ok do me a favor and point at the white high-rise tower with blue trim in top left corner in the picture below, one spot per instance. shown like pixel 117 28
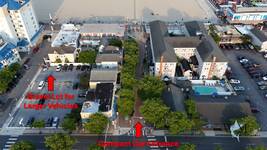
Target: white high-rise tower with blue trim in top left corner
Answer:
pixel 18 21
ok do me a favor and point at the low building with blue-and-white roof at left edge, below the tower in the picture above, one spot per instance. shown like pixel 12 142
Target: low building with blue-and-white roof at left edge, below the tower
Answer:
pixel 8 54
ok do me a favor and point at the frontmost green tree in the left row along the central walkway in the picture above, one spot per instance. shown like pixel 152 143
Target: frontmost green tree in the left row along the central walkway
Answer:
pixel 126 107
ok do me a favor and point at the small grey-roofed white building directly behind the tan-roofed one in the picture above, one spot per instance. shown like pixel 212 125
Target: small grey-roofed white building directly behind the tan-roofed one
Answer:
pixel 108 60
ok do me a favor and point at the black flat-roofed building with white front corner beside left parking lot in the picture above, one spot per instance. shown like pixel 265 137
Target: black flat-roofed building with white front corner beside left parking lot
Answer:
pixel 99 100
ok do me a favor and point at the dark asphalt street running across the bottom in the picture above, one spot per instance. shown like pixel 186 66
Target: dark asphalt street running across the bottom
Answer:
pixel 202 143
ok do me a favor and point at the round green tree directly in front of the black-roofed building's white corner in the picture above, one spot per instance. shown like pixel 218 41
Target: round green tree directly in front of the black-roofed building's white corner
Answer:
pixel 96 123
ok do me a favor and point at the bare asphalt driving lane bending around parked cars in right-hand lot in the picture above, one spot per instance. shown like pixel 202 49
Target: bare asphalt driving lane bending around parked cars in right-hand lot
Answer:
pixel 252 93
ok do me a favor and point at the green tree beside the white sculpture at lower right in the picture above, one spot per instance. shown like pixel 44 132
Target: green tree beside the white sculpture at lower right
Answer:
pixel 250 125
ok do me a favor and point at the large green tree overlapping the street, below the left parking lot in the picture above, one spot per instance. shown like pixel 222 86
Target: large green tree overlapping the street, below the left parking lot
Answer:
pixel 59 141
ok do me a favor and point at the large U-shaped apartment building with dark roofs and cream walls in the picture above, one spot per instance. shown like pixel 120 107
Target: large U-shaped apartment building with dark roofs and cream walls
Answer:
pixel 165 50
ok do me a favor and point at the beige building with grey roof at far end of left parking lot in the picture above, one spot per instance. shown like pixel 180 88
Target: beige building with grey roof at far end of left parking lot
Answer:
pixel 63 53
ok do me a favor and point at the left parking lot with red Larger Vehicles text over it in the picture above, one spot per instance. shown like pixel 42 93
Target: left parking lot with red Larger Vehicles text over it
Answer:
pixel 66 79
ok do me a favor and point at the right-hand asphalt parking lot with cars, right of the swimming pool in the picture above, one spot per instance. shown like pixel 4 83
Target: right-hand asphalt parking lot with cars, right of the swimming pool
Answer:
pixel 249 73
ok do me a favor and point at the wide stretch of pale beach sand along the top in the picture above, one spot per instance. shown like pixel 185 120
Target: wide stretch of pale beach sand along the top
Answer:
pixel 115 10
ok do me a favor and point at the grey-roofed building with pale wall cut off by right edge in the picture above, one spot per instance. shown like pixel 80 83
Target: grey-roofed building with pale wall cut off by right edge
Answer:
pixel 259 38
